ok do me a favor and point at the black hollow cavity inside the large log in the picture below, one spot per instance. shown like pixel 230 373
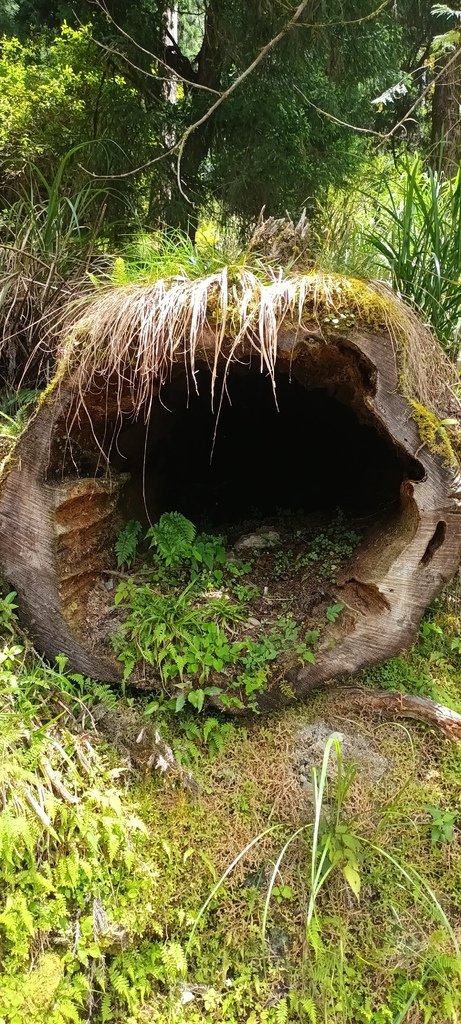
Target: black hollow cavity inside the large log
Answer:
pixel 310 453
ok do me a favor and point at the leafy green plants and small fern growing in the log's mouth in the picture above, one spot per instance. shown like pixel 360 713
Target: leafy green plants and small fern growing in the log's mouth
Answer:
pixel 179 624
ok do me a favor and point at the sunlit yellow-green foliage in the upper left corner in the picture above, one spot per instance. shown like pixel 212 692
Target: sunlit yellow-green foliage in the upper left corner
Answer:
pixel 59 93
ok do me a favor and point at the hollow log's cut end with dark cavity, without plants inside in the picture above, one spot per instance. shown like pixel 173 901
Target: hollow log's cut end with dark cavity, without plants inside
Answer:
pixel 340 435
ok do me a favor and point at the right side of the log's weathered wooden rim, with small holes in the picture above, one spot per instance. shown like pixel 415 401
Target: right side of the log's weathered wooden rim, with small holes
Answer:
pixel 411 559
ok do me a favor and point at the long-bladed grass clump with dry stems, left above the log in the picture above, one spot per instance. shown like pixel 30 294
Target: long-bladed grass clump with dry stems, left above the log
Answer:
pixel 48 237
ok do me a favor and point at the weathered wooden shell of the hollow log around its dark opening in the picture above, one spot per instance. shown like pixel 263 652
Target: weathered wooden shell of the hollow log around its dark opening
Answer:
pixel 76 477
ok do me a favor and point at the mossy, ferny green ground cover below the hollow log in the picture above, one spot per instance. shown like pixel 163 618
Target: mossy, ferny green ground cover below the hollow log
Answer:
pixel 117 902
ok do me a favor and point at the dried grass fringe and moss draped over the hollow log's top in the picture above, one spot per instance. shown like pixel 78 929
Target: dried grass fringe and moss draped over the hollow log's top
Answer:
pixel 136 334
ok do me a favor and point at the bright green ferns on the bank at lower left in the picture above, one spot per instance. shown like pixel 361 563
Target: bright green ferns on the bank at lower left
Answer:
pixel 74 887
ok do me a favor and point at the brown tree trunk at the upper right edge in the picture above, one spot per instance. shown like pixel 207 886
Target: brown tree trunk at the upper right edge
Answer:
pixel 447 117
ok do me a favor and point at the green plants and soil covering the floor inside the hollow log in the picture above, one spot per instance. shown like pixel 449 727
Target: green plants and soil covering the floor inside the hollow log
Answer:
pixel 189 623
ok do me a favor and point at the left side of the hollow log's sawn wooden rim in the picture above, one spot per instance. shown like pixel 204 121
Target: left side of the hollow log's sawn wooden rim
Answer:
pixel 33 543
